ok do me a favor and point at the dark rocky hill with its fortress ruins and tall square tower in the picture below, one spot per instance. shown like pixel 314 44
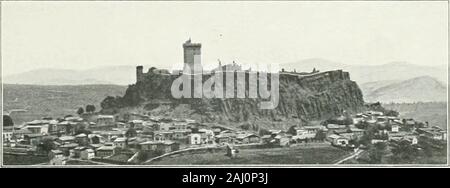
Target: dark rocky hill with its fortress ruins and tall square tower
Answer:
pixel 303 95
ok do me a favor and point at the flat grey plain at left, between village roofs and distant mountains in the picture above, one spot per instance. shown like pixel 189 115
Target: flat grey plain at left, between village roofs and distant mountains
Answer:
pixel 30 102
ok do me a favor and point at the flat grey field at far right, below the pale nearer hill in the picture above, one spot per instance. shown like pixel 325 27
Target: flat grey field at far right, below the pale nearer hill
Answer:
pixel 433 112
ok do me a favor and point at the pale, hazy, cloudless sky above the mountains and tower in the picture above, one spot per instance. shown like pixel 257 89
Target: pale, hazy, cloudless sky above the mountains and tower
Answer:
pixel 77 35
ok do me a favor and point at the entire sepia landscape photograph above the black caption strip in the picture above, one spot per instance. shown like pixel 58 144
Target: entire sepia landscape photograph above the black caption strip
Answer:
pixel 224 84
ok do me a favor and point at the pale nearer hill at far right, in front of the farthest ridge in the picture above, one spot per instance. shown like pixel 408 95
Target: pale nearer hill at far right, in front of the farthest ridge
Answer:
pixel 423 89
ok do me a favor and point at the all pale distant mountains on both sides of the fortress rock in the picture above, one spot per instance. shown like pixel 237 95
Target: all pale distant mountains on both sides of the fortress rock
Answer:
pixel 395 81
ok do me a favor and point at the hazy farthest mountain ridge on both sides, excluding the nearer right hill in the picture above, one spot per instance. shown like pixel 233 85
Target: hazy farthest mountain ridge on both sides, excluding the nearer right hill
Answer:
pixel 124 75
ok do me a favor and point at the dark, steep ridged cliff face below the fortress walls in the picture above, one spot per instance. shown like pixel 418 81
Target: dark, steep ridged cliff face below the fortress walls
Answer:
pixel 304 97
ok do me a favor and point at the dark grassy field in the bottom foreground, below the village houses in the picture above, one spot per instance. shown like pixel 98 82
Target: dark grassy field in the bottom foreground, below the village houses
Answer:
pixel 325 154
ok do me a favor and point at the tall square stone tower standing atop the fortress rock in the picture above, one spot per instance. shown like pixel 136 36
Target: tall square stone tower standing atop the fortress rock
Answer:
pixel 192 56
